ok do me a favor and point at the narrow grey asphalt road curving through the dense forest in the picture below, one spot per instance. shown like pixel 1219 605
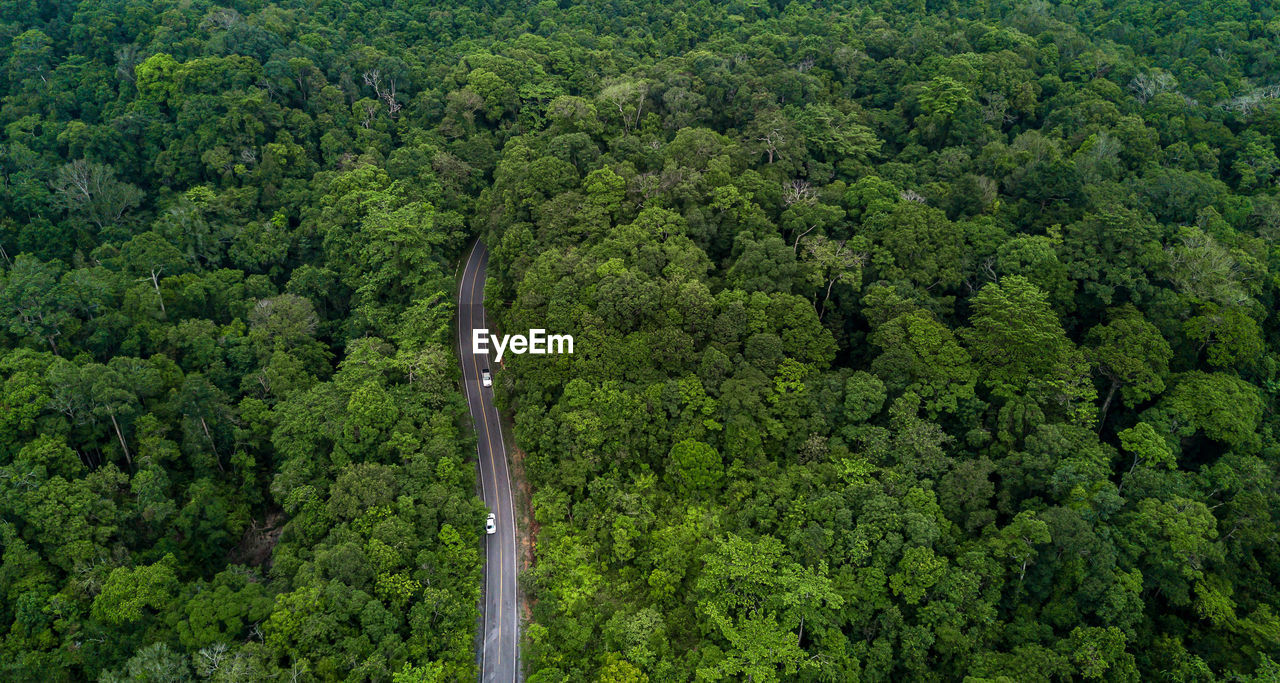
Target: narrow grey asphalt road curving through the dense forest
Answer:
pixel 500 654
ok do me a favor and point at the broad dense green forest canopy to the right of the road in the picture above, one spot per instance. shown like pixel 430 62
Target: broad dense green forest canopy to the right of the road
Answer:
pixel 911 345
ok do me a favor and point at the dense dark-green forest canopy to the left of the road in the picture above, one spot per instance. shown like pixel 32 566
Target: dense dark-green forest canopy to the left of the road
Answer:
pixel 232 443
